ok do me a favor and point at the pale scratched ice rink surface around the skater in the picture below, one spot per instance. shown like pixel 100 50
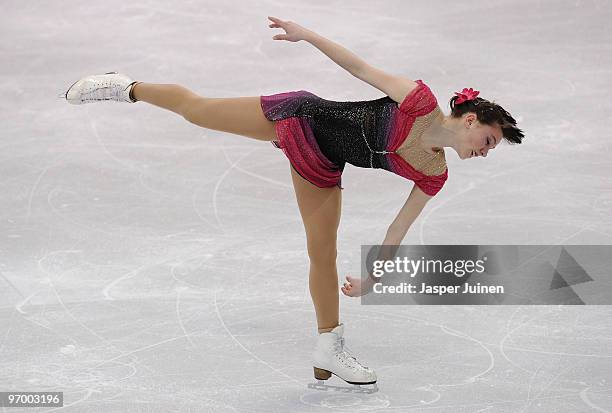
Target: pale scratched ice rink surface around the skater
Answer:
pixel 147 264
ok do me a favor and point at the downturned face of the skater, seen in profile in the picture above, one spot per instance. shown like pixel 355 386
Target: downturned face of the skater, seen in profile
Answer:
pixel 478 139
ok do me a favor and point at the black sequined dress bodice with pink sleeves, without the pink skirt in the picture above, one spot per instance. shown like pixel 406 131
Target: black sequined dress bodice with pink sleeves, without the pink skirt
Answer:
pixel 375 133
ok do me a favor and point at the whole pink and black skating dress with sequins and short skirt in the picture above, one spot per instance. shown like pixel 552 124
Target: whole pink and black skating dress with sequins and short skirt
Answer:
pixel 320 136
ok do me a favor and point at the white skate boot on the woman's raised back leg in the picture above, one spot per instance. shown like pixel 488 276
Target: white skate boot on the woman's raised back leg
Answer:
pixel 109 86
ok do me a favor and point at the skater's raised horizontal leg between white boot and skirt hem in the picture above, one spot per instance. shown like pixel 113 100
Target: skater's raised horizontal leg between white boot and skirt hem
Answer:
pixel 241 116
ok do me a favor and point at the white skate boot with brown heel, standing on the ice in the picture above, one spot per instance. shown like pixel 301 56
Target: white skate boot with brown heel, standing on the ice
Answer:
pixel 330 357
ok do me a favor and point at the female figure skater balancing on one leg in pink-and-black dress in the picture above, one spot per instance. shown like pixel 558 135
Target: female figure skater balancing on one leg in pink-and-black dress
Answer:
pixel 404 132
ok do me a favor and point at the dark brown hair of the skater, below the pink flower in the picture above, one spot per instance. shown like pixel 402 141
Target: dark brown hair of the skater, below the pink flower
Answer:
pixel 489 113
